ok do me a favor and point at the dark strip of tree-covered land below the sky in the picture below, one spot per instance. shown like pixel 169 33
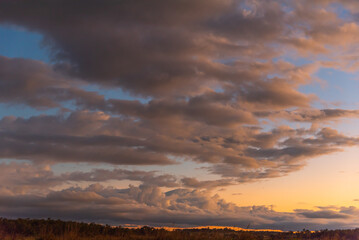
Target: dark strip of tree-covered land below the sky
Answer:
pixel 26 229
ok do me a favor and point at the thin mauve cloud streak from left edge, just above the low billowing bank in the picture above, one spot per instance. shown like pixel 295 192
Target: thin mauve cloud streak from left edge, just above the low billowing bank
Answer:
pixel 26 178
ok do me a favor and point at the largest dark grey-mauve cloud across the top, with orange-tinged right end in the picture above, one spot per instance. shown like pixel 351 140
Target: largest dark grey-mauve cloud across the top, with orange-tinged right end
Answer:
pixel 117 47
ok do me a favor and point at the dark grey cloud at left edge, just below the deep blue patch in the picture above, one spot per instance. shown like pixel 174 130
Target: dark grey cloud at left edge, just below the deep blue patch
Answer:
pixel 38 85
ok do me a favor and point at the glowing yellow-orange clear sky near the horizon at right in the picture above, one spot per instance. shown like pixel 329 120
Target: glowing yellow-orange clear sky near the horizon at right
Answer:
pixel 326 180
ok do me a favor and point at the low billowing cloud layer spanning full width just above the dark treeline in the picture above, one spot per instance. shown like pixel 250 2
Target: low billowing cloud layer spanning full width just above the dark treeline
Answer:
pixel 147 203
